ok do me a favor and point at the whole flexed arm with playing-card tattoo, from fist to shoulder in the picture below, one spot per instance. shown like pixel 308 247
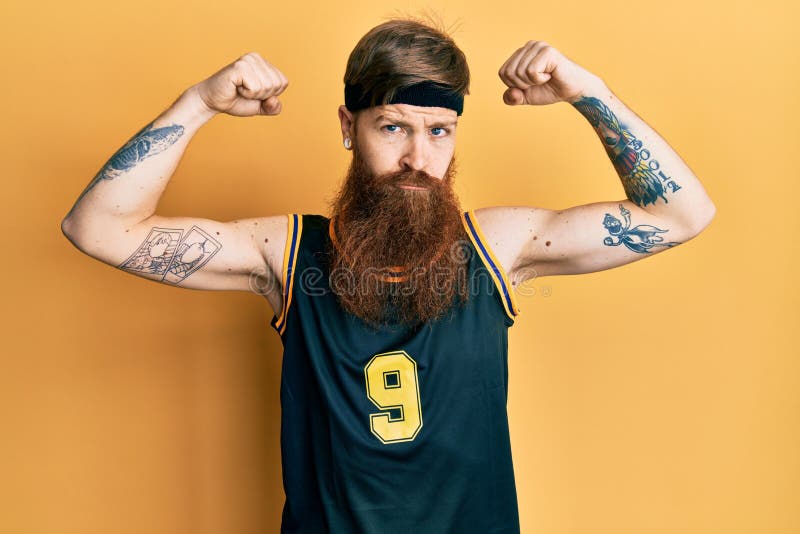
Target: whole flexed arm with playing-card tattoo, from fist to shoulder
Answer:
pixel 114 219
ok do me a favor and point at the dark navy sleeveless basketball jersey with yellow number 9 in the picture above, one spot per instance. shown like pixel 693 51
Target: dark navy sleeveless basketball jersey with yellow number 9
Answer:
pixel 394 430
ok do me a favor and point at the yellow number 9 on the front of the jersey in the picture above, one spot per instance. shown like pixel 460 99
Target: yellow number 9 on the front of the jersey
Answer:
pixel 393 386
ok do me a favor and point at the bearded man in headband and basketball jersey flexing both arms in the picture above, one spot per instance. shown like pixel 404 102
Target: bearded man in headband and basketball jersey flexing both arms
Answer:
pixel 394 311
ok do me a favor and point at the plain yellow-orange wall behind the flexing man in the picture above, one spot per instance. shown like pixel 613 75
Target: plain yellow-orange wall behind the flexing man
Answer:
pixel 659 397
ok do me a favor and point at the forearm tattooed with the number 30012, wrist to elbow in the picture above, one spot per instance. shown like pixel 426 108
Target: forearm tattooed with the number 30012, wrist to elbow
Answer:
pixel 653 175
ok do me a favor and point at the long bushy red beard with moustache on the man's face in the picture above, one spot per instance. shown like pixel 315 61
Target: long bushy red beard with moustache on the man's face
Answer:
pixel 399 255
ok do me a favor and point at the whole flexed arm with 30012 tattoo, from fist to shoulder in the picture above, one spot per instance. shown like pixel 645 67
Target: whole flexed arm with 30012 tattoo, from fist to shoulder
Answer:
pixel 666 204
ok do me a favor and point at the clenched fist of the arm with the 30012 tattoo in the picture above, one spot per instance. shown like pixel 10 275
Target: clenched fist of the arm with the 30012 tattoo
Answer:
pixel 538 74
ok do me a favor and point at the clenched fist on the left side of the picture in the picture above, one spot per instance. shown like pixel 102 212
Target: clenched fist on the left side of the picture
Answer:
pixel 248 86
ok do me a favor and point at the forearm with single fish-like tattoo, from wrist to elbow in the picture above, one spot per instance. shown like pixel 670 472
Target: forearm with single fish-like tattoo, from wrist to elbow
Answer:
pixel 128 186
